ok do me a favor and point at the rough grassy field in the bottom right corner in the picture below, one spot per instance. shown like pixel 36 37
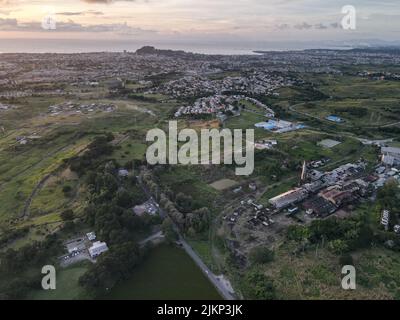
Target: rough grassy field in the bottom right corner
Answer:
pixel 317 275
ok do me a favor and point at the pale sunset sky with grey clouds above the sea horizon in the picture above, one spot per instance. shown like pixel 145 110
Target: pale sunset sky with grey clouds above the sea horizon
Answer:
pixel 216 20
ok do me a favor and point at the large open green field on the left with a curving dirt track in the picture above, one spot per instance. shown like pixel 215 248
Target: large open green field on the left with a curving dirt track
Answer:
pixel 32 176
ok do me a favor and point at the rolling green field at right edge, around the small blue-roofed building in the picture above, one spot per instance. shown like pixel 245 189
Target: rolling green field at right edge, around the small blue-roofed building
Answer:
pixel 359 101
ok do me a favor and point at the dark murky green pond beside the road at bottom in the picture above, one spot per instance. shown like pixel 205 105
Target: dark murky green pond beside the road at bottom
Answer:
pixel 166 273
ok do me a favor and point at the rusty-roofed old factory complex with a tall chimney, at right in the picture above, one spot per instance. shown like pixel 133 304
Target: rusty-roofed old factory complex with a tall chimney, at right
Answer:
pixel 326 192
